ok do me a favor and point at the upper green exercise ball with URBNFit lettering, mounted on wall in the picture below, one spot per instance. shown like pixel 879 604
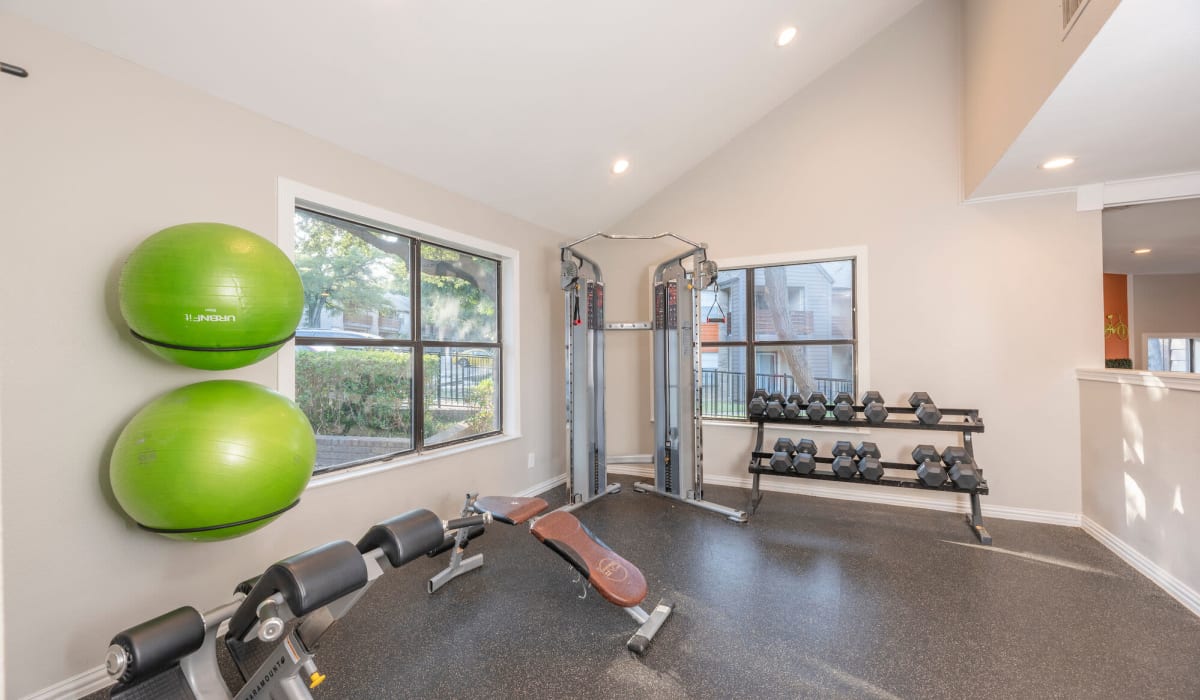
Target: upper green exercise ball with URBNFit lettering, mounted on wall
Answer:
pixel 211 296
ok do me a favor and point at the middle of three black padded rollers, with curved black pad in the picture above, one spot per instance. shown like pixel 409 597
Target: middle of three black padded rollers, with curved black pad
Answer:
pixel 308 582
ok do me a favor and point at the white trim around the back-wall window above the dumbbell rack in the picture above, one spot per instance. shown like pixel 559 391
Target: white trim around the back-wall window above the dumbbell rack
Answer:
pixel 862 309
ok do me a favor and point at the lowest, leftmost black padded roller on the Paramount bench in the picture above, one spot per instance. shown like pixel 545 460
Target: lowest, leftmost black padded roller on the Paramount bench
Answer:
pixel 160 643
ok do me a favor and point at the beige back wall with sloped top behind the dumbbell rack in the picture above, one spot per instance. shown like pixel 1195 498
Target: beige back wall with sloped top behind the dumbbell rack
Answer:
pixel 871 155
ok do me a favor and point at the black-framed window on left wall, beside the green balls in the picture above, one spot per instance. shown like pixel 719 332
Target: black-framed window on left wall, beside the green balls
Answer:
pixel 399 348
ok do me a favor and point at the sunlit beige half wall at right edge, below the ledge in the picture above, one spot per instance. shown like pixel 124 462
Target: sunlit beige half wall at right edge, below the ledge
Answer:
pixel 1141 478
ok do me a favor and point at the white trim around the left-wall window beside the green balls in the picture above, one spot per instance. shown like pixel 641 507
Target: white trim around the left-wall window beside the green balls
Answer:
pixel 292 195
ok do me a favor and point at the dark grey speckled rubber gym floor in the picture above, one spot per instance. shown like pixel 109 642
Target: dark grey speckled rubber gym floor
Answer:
pixel 813 599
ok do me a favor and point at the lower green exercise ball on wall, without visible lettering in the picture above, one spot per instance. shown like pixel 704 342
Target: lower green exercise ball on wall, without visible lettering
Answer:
pixel 213 460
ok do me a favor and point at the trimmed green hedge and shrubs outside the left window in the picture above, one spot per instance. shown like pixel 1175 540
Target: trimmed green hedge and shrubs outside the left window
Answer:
pixel 369 393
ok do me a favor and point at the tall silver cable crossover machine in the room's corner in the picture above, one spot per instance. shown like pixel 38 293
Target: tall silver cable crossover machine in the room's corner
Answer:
pixel 679 454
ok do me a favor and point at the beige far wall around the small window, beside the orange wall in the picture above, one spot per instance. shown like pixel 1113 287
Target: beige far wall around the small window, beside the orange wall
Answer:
pixel 1162 304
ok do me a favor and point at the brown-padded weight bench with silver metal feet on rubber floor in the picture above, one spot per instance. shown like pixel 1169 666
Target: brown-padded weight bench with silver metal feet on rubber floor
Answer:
pixel 615 578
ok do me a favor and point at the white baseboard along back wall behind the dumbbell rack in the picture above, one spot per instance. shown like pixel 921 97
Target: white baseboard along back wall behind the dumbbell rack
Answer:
pixel 945 502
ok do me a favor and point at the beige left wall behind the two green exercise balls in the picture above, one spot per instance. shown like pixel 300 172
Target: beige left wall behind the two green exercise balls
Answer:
pixel 98 154
